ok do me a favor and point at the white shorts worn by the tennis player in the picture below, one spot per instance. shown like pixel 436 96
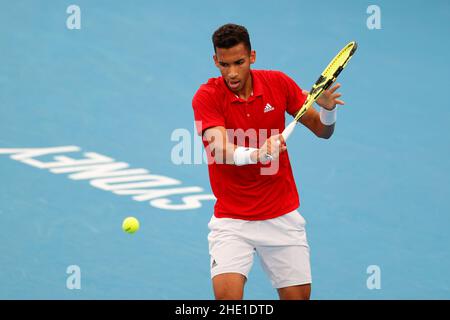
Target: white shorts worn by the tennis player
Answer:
pixel 280 243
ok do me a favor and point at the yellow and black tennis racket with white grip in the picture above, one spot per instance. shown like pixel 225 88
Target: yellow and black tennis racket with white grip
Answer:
pixel 326 79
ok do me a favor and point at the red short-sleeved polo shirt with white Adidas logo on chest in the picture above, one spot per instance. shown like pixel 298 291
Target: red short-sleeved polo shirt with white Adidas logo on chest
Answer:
pixel 244 192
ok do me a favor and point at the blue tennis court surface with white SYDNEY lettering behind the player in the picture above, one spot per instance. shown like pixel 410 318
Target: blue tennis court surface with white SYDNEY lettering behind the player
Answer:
pixel 115 91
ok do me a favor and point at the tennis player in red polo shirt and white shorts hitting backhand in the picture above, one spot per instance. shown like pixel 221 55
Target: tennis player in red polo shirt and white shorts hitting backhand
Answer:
pixel 240 116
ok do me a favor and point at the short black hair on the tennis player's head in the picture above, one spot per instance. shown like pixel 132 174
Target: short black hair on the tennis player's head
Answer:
pixel 230 35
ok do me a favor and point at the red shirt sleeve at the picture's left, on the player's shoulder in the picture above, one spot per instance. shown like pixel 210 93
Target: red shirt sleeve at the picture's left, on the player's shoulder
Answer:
pixel 207 112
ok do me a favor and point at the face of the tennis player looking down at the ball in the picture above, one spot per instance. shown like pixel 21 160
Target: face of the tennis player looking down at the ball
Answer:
pixel 234 65
